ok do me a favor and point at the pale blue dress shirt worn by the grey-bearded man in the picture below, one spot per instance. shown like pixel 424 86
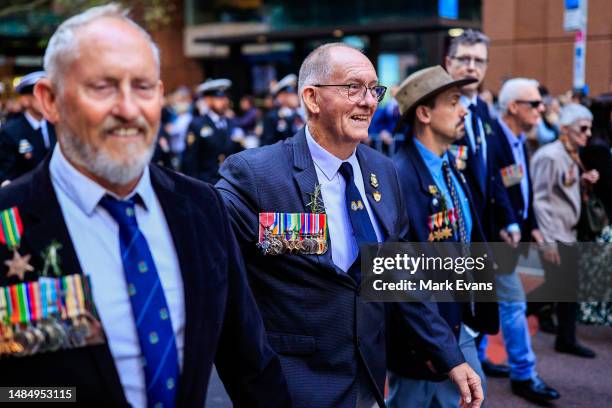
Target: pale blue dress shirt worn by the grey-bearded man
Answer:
pixel 95 236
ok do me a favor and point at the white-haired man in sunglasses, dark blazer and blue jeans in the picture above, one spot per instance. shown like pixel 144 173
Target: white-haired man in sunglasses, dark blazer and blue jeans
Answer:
pixel 521 107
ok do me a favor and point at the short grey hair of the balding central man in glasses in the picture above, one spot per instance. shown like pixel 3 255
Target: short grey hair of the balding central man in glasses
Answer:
pixel 316 68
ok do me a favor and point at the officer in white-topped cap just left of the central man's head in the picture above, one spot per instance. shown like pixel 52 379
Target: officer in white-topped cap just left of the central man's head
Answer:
pixel 285 120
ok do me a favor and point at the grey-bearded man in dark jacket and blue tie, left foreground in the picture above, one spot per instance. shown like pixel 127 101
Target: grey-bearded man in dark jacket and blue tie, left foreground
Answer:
pixel 167 279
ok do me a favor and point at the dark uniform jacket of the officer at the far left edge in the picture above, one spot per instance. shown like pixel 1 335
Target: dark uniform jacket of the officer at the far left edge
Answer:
pixel 12 163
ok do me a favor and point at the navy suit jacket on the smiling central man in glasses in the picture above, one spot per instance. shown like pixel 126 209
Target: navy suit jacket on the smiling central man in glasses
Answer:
pixel 314 316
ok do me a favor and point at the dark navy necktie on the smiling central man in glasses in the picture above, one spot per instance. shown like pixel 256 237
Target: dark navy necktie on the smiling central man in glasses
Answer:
pixel 360 219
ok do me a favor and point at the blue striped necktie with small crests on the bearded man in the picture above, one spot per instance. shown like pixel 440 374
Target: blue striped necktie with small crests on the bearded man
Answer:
pixel 149 307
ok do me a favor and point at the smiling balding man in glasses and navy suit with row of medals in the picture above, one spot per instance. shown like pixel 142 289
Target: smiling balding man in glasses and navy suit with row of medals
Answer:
pixel 331 343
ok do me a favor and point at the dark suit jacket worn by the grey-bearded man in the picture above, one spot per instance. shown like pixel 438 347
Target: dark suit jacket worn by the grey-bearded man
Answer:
pixel 223 325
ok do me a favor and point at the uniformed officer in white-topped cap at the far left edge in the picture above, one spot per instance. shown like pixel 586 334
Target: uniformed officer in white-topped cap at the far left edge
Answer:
pixel 25 139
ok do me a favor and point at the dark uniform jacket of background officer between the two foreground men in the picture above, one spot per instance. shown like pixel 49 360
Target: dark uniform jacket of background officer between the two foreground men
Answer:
pixel 204 154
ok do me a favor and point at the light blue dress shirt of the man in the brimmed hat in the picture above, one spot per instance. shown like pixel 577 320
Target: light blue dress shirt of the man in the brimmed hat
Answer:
pixel 434 165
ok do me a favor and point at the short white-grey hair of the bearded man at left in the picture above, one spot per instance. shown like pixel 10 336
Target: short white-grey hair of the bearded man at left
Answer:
pixel 63 45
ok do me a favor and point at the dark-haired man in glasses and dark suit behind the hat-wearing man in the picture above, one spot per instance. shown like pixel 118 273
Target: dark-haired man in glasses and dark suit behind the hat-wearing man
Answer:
pixel 468 58
